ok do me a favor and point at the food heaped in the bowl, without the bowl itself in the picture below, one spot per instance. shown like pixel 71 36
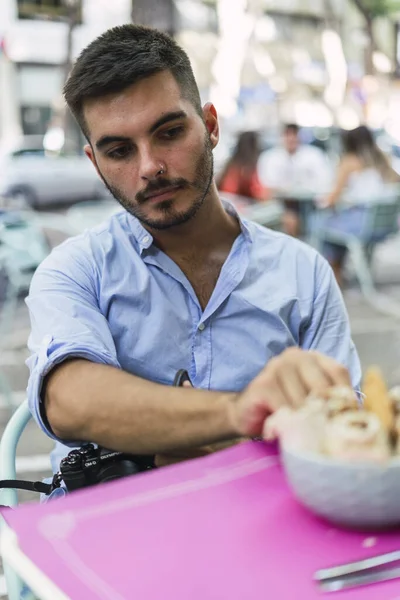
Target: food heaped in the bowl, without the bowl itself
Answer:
pixel 336 424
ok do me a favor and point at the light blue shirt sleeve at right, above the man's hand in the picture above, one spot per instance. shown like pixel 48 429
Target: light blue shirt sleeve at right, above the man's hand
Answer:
pixel 328 328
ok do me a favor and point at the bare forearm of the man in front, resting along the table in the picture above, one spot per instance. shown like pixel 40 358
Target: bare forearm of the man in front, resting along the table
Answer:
pixel 98 403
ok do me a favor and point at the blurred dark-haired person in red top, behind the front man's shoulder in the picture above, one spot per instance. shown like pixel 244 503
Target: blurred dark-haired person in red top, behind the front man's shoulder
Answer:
pixel 240 176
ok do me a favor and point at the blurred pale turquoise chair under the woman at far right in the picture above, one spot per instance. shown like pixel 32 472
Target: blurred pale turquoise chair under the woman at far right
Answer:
pixel 380 222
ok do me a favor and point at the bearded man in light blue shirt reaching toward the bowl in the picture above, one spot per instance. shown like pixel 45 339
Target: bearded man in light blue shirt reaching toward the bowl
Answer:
pixel 176 280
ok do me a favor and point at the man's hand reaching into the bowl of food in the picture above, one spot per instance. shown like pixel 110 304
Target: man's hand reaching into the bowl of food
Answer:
pixel 285 381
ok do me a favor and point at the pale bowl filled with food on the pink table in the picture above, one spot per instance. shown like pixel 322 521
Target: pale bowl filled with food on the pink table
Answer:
pixel 342 458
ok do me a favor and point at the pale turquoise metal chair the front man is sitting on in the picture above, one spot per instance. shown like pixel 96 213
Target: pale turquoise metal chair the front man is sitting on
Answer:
pixel 9 497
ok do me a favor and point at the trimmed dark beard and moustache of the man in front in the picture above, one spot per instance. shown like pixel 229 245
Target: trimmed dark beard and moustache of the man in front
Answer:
pixel 169 215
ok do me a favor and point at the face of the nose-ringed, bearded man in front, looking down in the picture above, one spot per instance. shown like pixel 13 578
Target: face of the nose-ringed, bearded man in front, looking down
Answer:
pixel 152 150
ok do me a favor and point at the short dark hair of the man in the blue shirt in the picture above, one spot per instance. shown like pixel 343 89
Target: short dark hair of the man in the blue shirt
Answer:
pixel 119 58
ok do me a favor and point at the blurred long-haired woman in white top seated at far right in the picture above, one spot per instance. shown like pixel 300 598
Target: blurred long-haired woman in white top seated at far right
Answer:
pixel 364 175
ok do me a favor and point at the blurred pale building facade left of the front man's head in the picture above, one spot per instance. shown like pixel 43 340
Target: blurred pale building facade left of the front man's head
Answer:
pixel 34 52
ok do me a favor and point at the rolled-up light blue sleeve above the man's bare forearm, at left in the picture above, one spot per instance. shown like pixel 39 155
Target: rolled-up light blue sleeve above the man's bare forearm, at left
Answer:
pixel 65 319
